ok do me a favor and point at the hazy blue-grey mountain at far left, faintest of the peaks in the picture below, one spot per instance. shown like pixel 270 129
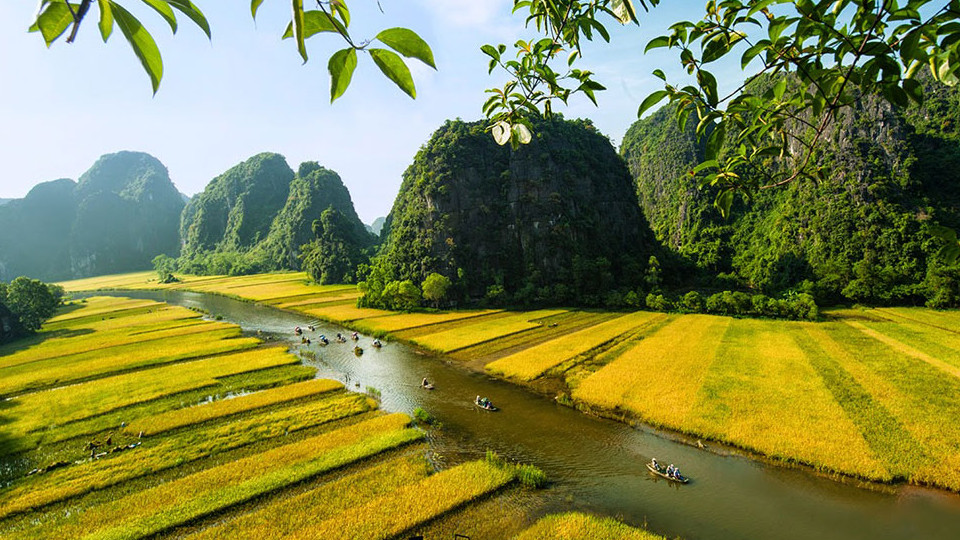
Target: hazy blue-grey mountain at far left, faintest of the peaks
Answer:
pixel 123 212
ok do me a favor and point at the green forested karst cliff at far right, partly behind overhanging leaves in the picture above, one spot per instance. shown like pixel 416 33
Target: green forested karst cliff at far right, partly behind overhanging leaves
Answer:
pixel 860 235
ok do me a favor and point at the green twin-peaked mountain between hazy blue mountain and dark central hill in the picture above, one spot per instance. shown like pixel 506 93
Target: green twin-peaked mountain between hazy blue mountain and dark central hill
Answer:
pixel 258 215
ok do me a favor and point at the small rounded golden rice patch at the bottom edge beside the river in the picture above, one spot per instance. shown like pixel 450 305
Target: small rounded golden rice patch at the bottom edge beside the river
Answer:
pixel 577 526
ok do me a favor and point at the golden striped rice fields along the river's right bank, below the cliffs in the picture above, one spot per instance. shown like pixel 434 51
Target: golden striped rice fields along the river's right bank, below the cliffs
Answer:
pixel 870 394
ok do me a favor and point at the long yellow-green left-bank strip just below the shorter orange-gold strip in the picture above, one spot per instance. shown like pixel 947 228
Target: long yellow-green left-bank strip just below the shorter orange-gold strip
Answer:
pixel 36 491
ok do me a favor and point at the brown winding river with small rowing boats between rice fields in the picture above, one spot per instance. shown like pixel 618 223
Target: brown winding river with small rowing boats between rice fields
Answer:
pixel 597 465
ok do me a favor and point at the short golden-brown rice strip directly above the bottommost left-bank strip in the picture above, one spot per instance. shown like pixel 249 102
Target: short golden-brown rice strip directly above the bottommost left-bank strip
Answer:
pixel 279 518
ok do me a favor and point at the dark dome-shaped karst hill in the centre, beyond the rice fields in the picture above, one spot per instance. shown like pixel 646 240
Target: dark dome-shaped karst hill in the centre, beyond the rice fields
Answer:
pixel 557 219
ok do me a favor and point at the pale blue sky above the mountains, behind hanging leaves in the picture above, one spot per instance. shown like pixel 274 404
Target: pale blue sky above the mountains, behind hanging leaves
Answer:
pixel 247 91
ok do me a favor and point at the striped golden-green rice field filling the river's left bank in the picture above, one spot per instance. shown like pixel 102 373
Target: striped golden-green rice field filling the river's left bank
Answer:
pixel 234 443
